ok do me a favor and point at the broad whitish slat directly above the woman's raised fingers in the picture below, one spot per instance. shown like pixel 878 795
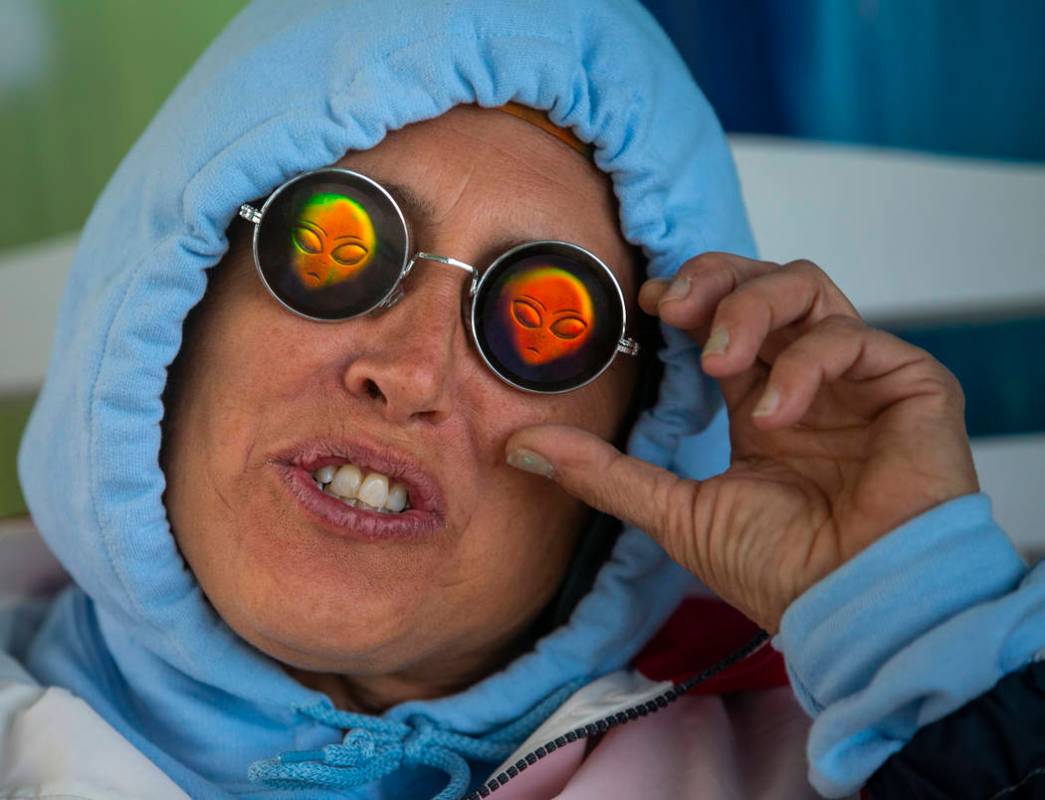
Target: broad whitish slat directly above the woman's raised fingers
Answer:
pixel 903 234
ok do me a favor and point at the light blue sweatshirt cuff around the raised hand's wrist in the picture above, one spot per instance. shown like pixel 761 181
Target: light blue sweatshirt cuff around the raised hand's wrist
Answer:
pixel 839 633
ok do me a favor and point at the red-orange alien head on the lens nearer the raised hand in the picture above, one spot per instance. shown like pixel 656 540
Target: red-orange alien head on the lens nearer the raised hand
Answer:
pixel 549 313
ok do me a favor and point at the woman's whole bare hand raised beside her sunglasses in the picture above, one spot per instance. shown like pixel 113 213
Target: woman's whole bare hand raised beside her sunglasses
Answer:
pixel 841 433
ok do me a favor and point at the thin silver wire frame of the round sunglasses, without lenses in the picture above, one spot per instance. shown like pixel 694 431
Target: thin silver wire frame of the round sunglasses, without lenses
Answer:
pixel 397 293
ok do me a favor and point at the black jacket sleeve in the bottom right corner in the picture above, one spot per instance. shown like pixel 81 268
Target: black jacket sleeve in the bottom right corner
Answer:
pixel 993 748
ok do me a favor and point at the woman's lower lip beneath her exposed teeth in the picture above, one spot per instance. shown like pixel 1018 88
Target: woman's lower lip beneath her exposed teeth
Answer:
pixel 356 523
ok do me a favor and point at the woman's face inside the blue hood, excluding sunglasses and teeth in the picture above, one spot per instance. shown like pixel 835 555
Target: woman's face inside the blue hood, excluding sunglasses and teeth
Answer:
pixel 403 615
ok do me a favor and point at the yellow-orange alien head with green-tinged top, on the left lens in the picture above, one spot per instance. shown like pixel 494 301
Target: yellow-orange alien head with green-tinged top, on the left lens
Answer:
pixel 334 241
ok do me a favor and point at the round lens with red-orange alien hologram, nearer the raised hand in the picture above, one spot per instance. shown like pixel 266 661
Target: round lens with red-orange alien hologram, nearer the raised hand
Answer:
pixel 548 317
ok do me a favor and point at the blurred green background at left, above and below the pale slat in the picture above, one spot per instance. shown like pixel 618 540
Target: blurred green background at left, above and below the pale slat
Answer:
pixel 80 80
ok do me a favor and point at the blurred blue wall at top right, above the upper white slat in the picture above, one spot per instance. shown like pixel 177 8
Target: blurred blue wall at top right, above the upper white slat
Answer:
pixel 955 77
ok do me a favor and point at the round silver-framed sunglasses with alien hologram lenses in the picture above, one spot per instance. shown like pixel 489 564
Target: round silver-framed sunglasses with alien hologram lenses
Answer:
pixel 546 317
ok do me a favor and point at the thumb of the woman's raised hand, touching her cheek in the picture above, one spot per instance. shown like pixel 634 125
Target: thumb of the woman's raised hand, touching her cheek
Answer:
pixel 652 499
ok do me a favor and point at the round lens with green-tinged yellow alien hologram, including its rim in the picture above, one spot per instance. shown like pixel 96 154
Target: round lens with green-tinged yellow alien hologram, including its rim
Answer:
pixel 331 245
